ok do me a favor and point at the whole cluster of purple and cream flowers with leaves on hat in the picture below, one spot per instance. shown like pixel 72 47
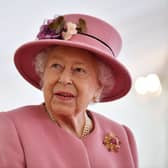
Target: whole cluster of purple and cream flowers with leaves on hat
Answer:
pixel 58 28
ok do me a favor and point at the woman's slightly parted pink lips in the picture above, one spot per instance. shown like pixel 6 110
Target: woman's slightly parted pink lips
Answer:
pixel 66 96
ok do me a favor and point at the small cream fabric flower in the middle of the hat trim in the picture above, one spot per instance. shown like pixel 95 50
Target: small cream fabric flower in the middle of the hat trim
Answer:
pixel 71 30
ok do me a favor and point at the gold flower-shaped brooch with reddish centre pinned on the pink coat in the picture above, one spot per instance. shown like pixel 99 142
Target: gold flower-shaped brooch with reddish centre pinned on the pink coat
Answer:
pixel 112 142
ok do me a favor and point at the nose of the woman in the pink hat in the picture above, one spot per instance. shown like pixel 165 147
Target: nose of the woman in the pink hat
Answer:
pixel 65 78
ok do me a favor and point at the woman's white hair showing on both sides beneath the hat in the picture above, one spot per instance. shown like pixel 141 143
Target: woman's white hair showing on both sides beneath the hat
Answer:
pixel 105 74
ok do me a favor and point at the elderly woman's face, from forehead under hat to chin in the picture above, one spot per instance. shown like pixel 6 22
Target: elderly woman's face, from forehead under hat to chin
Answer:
pixel 69 81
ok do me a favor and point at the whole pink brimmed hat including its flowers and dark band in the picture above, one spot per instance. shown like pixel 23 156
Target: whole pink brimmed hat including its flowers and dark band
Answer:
pixel 81 31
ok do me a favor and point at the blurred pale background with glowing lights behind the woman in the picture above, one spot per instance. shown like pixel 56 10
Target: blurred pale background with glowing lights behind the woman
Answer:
pixel 143 26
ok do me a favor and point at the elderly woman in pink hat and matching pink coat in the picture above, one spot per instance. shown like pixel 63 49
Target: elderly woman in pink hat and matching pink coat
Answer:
pixel 73 61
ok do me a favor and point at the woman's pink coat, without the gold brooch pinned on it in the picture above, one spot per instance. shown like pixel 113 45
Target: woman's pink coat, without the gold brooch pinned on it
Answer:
pixel 29 139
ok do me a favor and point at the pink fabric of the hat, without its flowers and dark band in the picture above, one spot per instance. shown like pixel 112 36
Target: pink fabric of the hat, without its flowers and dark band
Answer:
pixel 102 31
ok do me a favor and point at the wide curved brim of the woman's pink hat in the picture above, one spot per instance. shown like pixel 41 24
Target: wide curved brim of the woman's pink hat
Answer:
pixel 24 61
